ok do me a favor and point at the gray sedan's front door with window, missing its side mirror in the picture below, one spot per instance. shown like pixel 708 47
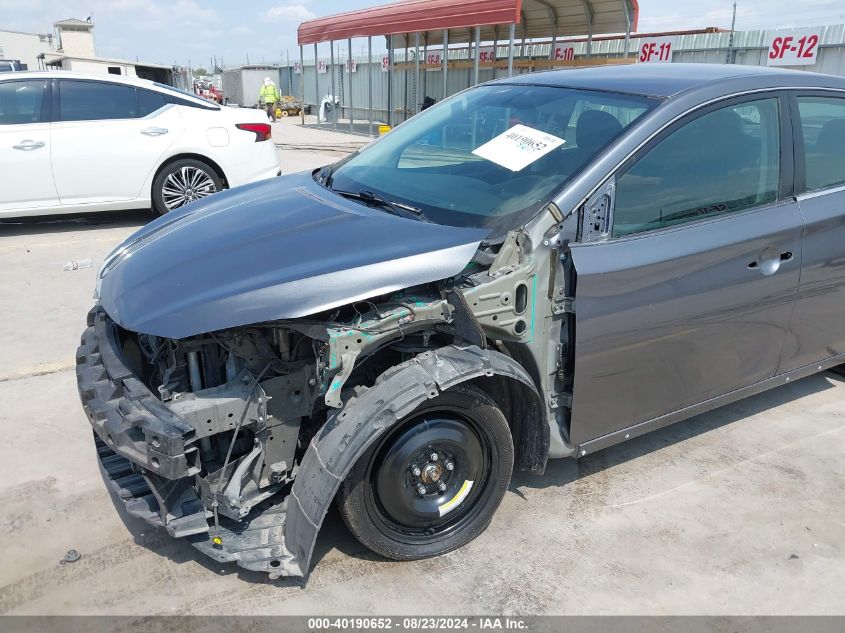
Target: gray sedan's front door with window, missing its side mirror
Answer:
pixel 684 290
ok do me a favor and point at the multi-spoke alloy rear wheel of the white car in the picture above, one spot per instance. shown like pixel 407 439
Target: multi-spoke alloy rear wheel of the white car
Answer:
pixel 193 178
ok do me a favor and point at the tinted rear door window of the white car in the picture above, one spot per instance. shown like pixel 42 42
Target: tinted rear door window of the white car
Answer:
pixel 96 101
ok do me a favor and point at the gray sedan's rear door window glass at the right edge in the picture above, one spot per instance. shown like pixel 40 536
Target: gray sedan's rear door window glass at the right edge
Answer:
pixel 823 130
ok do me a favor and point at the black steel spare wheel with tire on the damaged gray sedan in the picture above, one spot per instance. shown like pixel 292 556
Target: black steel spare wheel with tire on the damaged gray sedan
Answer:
pixel 379 499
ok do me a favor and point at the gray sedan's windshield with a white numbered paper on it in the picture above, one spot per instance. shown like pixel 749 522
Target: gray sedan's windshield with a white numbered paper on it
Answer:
pixel 489 157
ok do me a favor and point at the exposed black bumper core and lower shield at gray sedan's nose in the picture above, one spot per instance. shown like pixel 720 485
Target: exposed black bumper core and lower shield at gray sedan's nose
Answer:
pixel 147 453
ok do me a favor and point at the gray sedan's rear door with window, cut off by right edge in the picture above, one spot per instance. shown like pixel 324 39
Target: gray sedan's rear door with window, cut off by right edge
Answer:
pixel 817 330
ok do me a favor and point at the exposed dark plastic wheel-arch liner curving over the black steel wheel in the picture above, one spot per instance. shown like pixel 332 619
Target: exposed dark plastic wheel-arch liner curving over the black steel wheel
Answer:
pixel 350 431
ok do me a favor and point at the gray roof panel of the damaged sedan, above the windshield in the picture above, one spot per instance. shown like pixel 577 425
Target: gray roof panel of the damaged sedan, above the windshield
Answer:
pixel 666 80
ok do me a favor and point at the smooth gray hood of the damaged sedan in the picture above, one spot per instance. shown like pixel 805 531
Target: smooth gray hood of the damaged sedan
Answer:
pixel 278 249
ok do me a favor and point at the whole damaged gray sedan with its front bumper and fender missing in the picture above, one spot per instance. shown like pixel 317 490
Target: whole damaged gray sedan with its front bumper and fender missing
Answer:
pixel 536 268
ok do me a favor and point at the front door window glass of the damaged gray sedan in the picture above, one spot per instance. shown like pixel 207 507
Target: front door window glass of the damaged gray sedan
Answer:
pixel 725 161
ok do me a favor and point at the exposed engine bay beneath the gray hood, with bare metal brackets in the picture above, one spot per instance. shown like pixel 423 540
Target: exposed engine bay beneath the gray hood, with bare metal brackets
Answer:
pixel 255 396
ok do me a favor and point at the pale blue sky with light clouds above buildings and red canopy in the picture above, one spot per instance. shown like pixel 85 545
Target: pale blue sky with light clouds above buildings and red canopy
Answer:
pixel 168 31
